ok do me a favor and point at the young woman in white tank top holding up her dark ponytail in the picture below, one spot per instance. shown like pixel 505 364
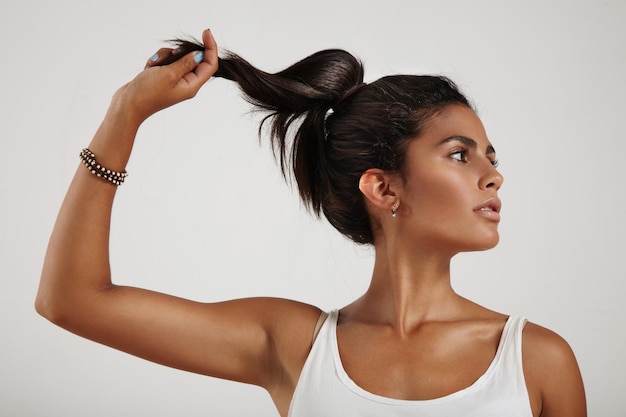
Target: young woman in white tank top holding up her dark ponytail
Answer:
pixel 402 164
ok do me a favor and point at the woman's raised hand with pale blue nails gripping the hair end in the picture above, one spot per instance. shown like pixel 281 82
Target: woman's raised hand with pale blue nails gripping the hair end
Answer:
pixel 159 87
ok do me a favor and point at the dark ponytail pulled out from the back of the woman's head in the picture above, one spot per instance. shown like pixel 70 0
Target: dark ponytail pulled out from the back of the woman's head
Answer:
pixel 298 98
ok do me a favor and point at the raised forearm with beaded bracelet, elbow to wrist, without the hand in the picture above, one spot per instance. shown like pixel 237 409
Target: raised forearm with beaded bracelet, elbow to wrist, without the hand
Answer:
pixel 76 266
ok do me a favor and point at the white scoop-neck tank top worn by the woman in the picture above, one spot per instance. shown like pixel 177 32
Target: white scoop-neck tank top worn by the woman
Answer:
pixel 325 389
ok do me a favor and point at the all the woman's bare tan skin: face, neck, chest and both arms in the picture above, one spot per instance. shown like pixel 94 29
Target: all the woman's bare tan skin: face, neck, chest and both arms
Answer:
pixel 417 327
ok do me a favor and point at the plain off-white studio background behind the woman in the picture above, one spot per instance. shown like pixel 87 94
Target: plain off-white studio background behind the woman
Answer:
pixel 205 215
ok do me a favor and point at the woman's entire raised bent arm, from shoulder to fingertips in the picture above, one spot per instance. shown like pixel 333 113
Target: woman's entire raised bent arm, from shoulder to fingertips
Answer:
pixel 238 340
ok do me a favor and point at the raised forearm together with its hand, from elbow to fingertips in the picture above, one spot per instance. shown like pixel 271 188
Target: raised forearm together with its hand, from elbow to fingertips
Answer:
pixel 76 266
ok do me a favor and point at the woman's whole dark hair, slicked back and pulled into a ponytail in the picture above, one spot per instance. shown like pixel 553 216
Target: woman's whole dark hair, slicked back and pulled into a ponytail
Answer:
pixel 328 127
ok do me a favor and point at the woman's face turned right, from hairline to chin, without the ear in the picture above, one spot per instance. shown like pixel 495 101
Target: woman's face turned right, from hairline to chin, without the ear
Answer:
pixel 449 196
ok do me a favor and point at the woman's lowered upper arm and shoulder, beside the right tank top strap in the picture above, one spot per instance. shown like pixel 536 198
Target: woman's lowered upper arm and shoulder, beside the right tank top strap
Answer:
pixel 552 374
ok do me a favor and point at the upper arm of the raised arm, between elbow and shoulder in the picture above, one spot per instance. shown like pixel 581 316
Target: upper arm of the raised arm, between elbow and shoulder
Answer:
pixel 234 340
